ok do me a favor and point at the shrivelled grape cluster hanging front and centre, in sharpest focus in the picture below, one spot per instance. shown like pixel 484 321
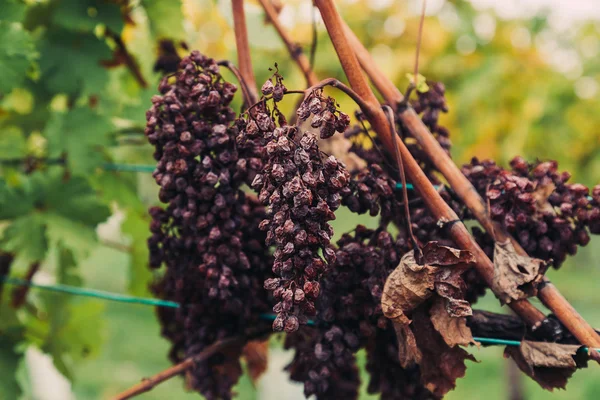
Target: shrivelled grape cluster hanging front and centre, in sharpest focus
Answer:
pixel 302 189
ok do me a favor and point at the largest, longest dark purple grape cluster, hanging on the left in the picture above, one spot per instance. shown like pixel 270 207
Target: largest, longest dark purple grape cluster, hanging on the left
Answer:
pixel 207 236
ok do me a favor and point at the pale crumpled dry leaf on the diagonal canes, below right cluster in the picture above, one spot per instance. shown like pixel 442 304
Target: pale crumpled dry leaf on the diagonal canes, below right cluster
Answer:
pixel 515 276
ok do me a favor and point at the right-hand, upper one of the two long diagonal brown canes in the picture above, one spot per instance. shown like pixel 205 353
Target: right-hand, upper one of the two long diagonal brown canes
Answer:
pixel 547 293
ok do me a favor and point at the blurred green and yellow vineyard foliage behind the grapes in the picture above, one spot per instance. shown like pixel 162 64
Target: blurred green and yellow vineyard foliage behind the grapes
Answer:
pixel 526 84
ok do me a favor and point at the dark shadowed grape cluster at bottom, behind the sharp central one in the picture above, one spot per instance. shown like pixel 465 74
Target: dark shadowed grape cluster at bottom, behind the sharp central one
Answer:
pixel 350 317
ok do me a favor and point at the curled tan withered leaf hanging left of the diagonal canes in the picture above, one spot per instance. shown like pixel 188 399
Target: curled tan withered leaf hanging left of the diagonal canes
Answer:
pixel 406 287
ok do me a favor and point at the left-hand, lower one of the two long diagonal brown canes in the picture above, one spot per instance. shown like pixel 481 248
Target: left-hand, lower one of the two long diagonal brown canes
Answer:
pixel 431 197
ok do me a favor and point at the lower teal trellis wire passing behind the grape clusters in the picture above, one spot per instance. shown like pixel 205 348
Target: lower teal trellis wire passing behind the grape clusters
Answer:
pixel 123 298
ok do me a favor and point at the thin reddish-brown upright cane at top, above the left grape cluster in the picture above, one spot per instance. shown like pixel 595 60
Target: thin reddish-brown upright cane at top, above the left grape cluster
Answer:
pixel 243 48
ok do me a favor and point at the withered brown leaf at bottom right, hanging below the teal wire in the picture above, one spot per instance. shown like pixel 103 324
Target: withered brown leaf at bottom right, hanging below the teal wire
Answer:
pixel 549 364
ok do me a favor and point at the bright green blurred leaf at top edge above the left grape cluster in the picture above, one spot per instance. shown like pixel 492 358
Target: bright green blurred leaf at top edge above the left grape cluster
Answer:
pixel 165 17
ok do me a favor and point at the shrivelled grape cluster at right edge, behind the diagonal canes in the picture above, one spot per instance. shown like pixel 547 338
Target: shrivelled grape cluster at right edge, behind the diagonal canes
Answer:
pixel 548 216
